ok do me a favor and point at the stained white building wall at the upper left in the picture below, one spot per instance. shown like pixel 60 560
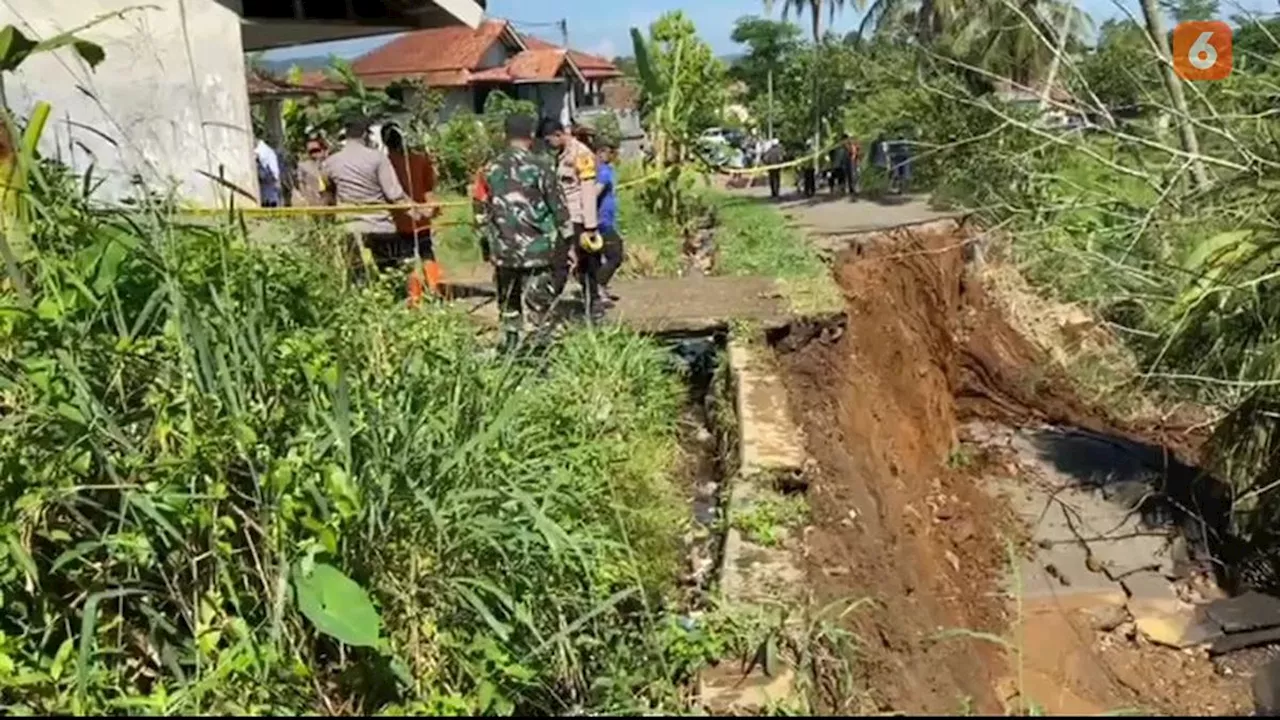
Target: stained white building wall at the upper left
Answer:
pixel 168 103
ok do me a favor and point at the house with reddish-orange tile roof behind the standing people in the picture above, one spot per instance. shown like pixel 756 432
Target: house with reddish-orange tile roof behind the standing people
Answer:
pixel 470 65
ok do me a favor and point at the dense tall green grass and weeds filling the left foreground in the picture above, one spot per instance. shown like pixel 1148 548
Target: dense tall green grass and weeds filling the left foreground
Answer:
pixel 235 485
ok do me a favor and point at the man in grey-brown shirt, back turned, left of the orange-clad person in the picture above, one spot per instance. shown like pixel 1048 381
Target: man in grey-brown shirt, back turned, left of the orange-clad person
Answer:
pixel 358 175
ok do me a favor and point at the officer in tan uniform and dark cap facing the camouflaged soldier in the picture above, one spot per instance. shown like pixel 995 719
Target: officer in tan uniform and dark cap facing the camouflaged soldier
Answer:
pixel 575 168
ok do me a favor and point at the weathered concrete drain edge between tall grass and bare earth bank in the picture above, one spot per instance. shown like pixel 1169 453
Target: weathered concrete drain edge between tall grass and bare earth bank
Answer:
pixel 747 458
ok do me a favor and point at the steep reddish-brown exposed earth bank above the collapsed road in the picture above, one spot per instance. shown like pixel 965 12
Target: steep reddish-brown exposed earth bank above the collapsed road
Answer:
pixel 899 514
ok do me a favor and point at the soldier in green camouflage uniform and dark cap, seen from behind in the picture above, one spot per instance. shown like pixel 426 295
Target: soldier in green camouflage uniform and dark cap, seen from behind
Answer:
pixel 525 217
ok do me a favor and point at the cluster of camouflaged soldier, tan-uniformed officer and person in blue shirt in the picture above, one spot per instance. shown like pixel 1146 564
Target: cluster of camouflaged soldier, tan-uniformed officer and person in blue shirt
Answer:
pixel 546 207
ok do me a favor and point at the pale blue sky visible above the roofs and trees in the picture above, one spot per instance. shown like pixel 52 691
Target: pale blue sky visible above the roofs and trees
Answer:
pixel 602 26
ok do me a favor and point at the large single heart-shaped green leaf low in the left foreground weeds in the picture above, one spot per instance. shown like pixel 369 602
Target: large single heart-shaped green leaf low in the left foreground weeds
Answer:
pixel 337 607
